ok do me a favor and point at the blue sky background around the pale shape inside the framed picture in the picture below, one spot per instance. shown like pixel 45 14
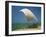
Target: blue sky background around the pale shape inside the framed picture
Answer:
pixel 19 17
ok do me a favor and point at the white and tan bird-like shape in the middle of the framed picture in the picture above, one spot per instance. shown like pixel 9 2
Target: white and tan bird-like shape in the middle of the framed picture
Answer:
pixel 29 14
